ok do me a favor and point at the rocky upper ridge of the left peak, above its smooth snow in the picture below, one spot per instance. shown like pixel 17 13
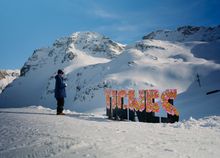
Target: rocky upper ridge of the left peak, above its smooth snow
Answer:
pixel 66 49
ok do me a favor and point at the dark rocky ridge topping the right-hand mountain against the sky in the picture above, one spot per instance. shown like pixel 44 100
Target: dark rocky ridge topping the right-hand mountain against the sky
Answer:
pixel 187 33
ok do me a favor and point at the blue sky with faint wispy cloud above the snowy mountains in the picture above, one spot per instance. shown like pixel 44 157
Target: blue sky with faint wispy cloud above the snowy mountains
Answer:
pixel 26 25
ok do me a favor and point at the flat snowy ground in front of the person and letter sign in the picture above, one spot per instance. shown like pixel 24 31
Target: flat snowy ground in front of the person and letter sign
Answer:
pixel 38 132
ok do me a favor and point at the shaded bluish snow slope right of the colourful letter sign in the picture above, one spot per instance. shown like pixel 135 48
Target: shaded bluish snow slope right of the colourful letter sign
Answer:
pixel 195 102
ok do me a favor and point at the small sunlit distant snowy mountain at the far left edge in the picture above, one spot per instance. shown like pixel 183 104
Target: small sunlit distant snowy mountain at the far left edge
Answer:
pixel 6 77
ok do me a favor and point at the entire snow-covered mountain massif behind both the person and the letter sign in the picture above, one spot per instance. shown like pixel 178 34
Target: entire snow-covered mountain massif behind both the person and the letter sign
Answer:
pixel 93 62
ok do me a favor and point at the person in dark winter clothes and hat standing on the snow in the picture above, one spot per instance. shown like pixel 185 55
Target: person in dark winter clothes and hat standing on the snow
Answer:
pixel 60 92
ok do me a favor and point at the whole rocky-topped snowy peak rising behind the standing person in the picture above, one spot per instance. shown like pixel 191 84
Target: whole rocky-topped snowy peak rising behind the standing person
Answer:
pixel 36 83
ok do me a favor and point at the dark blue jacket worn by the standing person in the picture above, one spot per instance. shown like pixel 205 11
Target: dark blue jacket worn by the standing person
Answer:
pixel 60 91
